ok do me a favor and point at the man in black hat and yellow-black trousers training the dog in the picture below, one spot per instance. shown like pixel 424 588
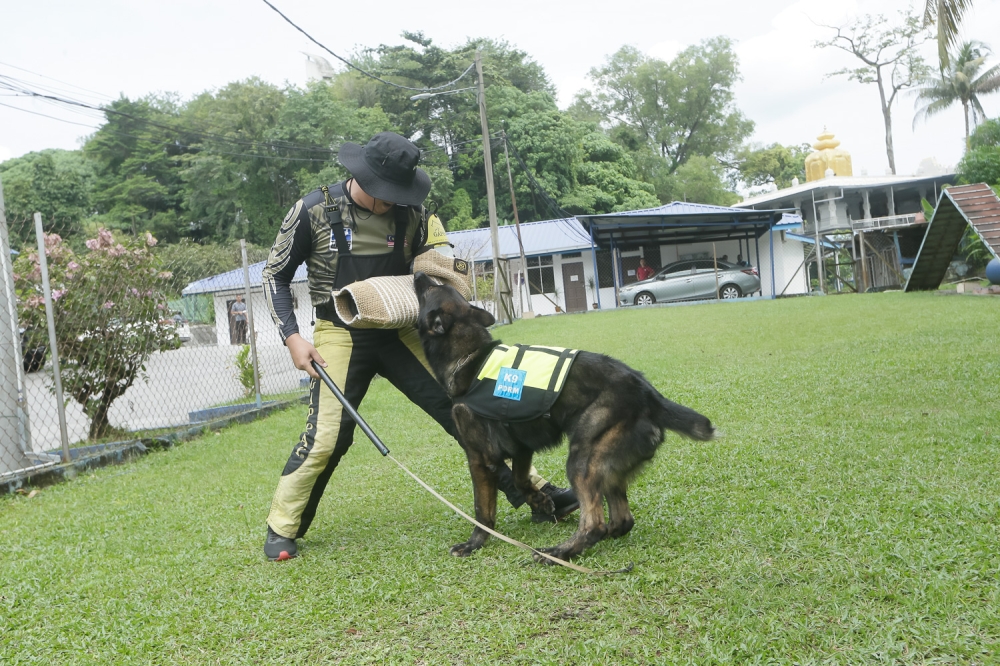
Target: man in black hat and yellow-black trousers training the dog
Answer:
pixel 371 225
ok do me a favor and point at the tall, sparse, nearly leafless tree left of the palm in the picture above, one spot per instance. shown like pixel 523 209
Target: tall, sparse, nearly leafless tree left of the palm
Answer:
pixel 890 57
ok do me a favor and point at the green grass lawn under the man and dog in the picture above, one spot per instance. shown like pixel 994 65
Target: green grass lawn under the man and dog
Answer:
pixel 849 515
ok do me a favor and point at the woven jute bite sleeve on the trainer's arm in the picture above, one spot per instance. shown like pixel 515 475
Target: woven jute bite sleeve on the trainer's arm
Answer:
pixel 390 301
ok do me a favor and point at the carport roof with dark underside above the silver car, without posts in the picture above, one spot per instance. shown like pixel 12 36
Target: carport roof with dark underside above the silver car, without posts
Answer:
pixel 680 223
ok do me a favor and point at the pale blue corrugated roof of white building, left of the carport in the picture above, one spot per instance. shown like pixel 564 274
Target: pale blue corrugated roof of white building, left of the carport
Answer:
pixel 539 238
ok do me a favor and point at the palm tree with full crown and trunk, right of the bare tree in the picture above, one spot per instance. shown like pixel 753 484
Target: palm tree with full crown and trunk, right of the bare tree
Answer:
pixel 960 82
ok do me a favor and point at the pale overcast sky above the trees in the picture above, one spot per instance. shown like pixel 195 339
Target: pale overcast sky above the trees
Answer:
pixel 106 48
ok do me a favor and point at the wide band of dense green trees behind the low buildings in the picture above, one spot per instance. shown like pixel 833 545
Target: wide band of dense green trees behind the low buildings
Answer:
pixel 228 163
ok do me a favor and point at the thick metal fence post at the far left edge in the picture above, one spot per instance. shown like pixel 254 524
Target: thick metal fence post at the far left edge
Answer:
pixel 14 434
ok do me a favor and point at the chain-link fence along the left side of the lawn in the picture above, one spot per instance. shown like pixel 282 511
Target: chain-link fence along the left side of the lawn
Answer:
pixel 149 338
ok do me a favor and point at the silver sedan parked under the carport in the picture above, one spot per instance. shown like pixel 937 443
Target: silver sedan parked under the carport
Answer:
pixel 692 280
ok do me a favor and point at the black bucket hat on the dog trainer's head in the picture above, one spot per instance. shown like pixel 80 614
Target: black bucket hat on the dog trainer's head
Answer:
pixel 386 168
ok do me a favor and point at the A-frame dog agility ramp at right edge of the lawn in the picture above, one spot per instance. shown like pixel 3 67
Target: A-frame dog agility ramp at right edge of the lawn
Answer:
pixel 959 207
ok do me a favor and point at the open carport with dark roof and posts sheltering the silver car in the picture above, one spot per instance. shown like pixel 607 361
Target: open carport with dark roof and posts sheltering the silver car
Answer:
pixel 681 223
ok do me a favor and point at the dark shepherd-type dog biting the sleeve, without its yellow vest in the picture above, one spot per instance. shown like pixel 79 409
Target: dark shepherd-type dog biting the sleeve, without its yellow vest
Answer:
pixel 613 418
